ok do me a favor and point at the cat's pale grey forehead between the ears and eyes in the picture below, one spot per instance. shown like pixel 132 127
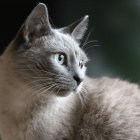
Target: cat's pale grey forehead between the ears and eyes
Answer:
pixel 61 42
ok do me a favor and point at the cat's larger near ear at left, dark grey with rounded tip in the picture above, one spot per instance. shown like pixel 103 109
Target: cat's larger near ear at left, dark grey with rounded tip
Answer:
pixel 37 23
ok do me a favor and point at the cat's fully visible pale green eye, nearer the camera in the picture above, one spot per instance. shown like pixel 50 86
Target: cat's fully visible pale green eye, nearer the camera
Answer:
pixel 60 58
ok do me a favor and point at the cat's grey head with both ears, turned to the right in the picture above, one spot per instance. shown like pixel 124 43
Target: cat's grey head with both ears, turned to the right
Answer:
pixel 49 59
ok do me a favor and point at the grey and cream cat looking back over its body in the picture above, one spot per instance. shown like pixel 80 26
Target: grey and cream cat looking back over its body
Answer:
pixel 46 95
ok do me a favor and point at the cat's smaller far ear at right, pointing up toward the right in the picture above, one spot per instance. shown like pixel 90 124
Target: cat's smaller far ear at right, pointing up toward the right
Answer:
pixel 78 28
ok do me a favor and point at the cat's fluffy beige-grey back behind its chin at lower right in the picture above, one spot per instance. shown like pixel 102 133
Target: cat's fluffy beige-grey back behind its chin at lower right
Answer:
pixel 113 111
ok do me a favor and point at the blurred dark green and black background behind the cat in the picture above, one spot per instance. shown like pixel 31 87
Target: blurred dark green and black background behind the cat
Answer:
pixel 114 31
